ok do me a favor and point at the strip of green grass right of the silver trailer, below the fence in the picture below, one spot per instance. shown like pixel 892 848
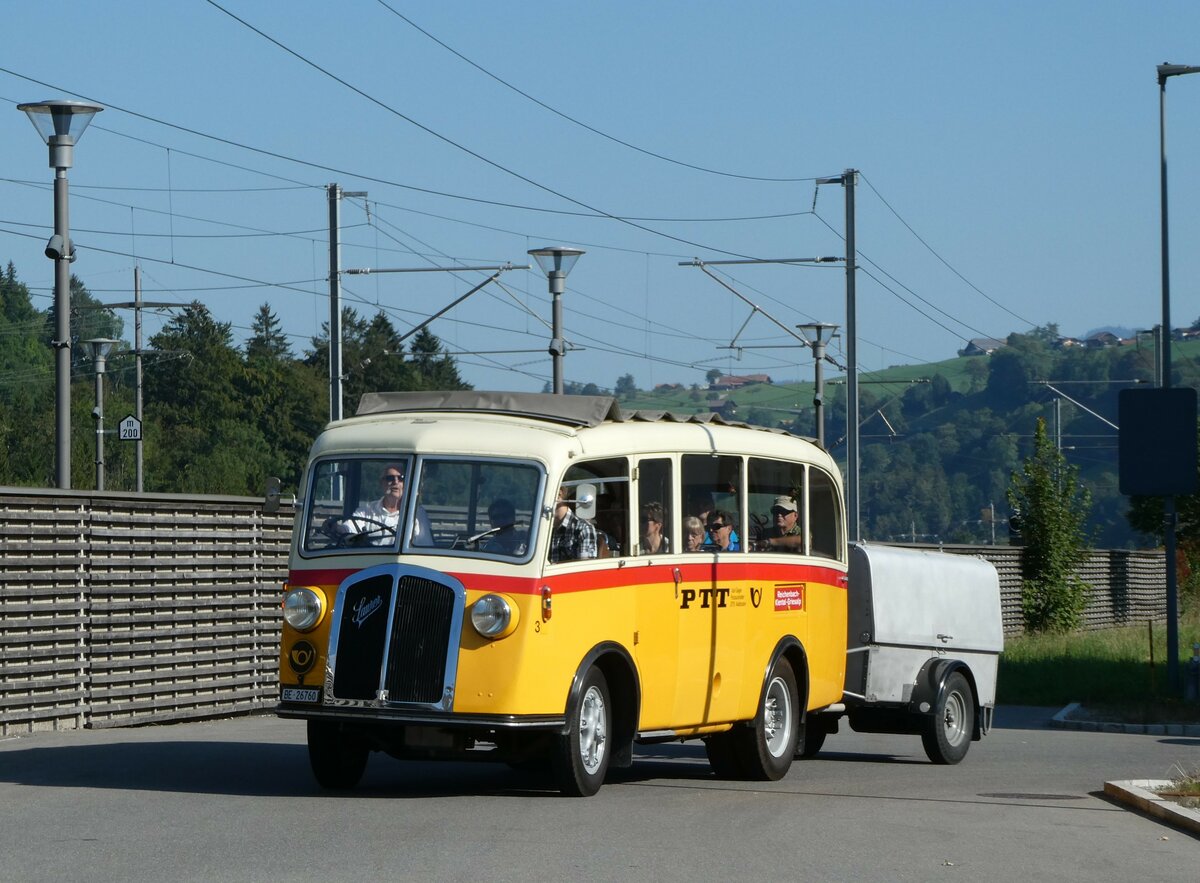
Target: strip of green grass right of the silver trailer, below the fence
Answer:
pixel 1108 671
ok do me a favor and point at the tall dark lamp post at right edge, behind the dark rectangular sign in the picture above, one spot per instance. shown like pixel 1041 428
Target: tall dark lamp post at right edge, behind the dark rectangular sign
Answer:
pixel 1165 359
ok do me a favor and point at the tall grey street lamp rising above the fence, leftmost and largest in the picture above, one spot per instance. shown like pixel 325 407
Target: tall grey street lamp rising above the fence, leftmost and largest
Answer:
pixel 62 124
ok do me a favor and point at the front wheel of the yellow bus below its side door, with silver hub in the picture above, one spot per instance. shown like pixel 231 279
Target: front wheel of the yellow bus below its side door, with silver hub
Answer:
pixel 581 756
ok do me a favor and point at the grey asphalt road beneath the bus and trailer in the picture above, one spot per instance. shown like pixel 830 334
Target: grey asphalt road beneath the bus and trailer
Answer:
pixel 233 801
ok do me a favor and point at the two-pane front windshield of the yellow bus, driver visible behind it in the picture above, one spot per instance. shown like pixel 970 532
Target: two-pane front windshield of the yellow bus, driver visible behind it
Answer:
pixel 457 506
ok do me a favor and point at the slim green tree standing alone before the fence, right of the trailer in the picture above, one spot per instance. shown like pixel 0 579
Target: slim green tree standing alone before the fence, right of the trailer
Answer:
pixel 1053 507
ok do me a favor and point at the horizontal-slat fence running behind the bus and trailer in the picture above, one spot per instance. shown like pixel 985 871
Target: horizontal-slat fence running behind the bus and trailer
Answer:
pixel 118 610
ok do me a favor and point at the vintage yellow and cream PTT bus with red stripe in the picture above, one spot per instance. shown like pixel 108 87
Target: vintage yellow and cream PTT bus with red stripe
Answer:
pixel 548 581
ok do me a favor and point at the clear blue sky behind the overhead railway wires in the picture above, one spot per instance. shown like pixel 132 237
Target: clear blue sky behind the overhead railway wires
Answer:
pixel 1009 157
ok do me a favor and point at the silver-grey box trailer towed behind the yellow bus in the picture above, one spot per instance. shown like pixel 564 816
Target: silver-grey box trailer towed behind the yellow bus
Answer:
pixel 923 646
